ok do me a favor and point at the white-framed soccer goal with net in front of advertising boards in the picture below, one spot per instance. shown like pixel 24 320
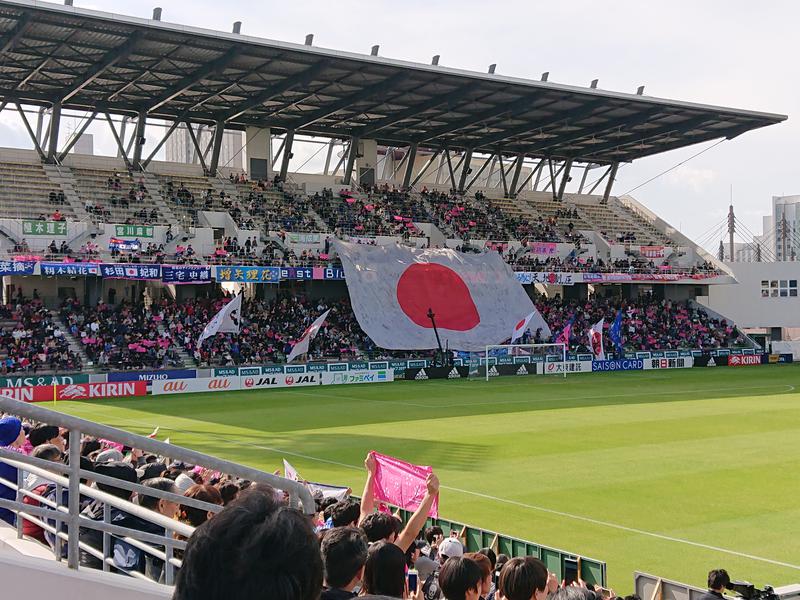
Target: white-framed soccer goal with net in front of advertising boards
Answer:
pixel 512 359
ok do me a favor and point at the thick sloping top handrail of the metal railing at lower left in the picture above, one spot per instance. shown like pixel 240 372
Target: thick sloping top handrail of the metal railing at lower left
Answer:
pixel 297 491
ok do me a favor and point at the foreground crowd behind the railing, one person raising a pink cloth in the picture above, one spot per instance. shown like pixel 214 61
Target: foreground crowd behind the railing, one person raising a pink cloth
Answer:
pixel 255 543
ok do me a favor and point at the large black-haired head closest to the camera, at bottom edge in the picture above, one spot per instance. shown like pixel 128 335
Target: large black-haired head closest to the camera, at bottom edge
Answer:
pixel 255 548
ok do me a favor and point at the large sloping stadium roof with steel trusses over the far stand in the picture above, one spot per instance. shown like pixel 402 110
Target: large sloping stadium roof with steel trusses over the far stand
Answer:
pixel 98 61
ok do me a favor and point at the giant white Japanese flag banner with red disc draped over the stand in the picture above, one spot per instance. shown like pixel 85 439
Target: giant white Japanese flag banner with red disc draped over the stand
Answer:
pixel 475 298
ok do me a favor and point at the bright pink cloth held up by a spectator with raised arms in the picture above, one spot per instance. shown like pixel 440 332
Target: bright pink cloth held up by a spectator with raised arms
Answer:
pixel 401 484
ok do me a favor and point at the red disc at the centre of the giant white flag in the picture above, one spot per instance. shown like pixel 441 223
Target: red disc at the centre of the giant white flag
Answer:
pixel 424 286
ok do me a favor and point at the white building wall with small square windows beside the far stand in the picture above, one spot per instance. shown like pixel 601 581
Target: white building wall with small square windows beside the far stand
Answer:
pixel 744 303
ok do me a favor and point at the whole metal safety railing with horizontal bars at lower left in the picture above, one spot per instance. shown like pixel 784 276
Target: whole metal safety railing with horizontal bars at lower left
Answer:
pixel 59 510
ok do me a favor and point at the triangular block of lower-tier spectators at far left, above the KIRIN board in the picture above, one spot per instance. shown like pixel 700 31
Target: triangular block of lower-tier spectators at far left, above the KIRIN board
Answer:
pixel 34 342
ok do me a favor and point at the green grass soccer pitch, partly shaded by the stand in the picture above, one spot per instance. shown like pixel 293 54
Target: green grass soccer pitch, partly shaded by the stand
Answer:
pixel 668 472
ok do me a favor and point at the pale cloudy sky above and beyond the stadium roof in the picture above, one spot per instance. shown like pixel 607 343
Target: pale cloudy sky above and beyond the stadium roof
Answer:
pixel 733 53
